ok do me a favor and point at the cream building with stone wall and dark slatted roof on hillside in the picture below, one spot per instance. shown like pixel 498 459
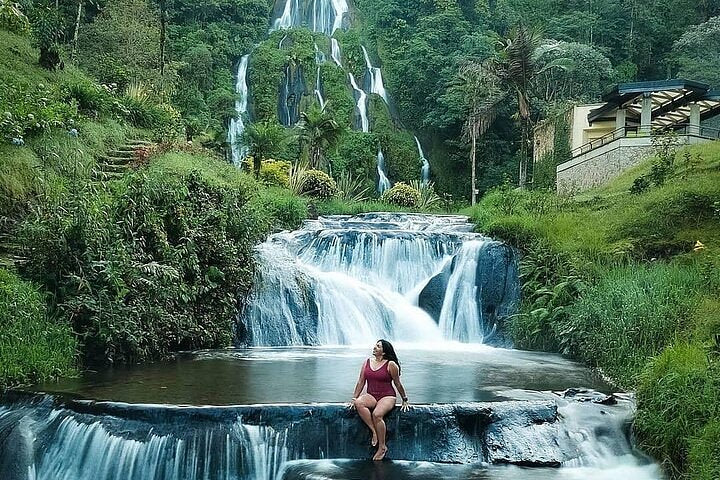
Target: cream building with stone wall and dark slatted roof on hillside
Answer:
pixel 608 138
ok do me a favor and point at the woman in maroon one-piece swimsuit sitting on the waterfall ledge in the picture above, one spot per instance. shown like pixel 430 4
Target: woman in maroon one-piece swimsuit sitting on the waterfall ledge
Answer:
pixel 379 371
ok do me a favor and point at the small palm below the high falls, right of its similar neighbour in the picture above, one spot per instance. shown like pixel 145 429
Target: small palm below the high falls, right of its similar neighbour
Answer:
pixel 320 131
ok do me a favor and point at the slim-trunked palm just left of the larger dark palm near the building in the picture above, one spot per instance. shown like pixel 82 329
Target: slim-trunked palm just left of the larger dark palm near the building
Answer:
pixel 479 87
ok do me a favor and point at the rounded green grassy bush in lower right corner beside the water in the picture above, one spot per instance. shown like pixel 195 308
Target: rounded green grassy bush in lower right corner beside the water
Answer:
pixel 679 394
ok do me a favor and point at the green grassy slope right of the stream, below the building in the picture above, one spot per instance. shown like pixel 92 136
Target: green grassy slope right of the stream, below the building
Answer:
pixel 614 279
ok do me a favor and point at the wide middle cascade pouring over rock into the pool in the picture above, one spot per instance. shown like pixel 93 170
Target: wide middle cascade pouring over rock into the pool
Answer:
pixel 346 280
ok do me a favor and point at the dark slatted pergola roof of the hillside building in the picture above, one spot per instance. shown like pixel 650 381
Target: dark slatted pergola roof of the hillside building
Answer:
pixel 670 99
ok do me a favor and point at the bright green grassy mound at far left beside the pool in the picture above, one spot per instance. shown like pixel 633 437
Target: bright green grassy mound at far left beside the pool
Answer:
pixel 33 347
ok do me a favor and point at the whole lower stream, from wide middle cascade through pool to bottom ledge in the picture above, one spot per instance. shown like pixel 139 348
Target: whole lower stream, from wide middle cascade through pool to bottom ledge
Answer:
pixel 271 407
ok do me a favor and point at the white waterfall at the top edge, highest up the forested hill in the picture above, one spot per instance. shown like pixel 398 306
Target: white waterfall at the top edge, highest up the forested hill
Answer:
pixel 325 16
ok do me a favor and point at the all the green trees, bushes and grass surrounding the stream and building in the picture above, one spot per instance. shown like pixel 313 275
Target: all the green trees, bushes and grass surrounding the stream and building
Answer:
pixel 127 233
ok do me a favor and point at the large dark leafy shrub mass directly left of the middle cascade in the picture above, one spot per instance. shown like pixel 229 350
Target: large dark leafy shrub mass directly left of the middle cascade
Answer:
pixel 158 264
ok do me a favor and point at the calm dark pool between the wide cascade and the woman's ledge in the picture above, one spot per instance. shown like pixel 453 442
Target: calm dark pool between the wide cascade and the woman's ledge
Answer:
pixel 438 373
